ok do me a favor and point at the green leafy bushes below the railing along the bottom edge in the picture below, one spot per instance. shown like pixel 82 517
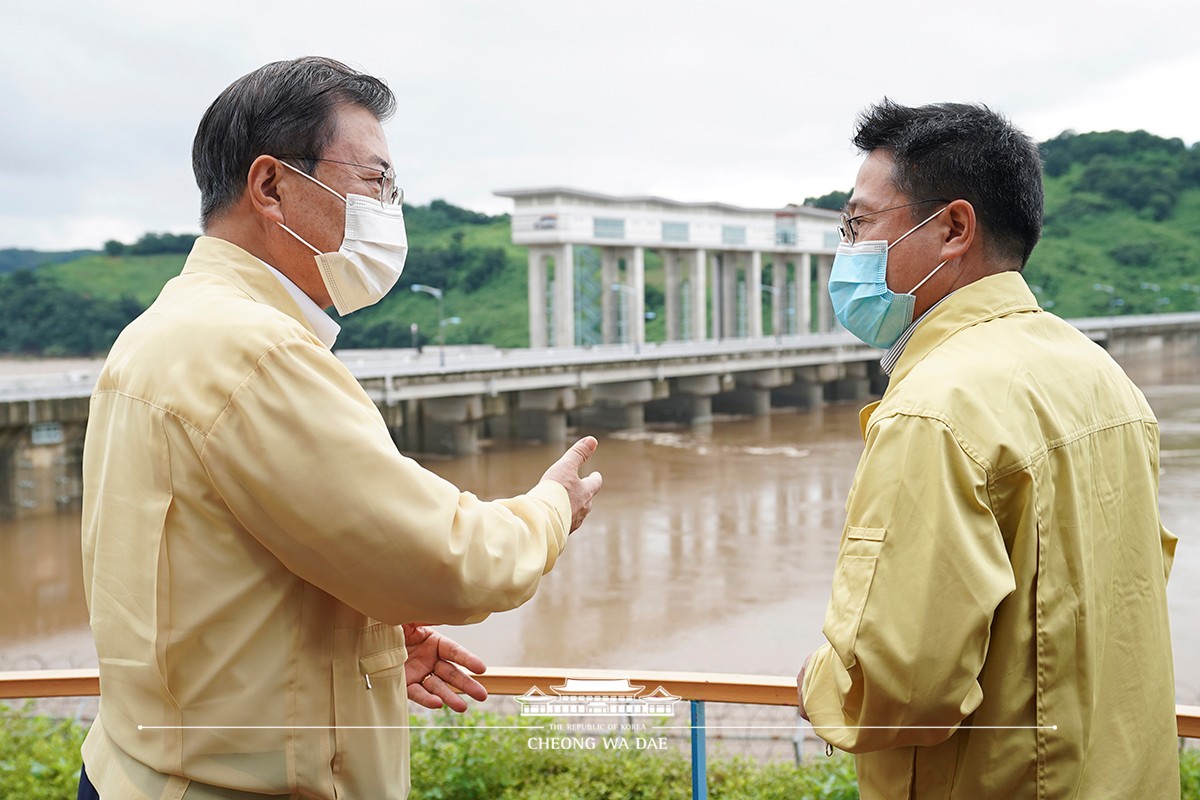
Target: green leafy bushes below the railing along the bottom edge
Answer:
pixel 40 761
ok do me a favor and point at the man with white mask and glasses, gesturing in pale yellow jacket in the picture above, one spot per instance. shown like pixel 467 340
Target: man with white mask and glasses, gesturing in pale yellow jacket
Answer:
pixel 260 560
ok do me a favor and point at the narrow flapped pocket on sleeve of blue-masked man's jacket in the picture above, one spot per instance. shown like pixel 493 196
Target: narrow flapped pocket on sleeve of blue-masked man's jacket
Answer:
pixel 851 588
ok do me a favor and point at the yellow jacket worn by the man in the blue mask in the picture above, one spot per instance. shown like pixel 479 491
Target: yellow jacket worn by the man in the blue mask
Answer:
pixel 998 627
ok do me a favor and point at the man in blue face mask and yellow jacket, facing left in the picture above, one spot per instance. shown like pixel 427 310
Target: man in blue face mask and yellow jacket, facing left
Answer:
pixel 998 627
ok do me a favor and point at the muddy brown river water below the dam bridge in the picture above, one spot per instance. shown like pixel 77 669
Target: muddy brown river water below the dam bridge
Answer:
pixel 710 550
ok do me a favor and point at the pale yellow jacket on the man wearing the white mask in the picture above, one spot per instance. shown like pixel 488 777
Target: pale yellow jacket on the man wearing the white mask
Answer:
pixel 251 542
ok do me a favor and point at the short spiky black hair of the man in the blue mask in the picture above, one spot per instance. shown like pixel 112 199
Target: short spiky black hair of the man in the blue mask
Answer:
pixel 962 151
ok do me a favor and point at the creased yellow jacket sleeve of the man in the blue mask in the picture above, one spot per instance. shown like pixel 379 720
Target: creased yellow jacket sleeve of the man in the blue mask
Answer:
pixel 920 575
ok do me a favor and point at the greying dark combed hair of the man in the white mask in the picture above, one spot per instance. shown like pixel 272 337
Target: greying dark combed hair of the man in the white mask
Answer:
pixel 285 109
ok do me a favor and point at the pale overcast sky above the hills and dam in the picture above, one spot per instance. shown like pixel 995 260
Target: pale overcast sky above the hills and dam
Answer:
pixel 748 103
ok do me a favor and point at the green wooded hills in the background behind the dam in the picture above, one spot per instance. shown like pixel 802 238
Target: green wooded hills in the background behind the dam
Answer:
pixel 1123 237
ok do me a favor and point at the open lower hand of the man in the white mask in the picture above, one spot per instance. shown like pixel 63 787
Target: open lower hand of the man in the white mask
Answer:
pixel 431 675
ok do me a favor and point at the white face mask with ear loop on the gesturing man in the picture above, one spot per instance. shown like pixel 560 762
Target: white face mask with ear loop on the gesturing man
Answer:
pixel 373 255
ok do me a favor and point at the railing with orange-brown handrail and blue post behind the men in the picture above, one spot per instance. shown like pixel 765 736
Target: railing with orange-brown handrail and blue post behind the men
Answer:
pixel 695 688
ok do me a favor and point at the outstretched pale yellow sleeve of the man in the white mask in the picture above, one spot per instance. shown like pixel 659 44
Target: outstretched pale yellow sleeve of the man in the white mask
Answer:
pixel 304 460
